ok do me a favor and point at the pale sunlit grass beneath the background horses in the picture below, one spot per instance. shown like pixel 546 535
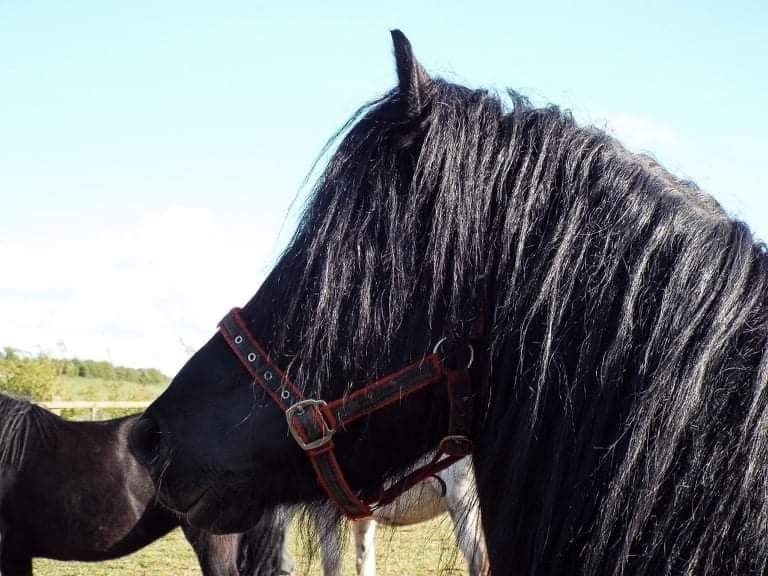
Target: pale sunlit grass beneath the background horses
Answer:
pixel 421 550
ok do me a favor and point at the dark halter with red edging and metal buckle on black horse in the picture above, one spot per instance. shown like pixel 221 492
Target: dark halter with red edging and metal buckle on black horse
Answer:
pixel 313 423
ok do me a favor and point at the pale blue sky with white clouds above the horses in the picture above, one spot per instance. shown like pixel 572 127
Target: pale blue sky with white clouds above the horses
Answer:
pixel 148 149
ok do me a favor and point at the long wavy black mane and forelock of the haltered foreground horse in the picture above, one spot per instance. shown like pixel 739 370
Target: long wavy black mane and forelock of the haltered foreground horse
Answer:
pixel 625 324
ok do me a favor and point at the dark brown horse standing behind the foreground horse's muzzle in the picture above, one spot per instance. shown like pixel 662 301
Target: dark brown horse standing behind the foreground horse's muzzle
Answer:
pixel 74 491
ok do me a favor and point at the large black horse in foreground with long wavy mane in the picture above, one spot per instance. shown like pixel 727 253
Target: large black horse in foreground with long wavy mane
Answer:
pixel 620 328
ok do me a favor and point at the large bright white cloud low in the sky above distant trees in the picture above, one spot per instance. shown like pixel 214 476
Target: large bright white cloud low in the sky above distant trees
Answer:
pixel 141 293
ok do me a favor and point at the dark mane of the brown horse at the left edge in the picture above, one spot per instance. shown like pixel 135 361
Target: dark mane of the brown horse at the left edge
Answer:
pixel 21 423
